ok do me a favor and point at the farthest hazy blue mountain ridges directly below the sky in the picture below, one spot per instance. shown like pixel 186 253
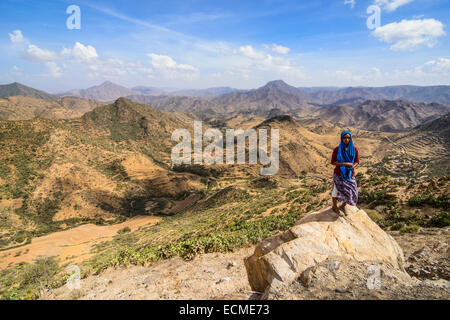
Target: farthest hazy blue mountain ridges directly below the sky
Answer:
pixel 109 91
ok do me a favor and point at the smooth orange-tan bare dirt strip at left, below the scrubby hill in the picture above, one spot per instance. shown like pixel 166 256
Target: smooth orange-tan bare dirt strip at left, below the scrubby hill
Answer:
pixel 72 245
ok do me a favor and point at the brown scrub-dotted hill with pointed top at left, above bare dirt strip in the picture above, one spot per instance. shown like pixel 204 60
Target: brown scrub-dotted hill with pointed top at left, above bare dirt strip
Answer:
pixel 56 174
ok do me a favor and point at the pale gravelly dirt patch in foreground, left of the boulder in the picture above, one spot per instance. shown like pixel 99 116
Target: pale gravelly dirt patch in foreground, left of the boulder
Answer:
pixel 208 276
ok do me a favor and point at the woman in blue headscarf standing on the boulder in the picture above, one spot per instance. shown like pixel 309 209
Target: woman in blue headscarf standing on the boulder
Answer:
pixel 345 158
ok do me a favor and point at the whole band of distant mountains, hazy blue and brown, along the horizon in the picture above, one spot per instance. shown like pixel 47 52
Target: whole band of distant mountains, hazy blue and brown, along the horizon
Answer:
pixel 275 98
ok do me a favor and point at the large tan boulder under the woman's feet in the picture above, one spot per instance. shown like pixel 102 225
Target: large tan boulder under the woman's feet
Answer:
pixel 320 236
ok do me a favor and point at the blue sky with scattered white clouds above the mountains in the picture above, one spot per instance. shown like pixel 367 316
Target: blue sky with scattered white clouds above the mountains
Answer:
pixel 241 44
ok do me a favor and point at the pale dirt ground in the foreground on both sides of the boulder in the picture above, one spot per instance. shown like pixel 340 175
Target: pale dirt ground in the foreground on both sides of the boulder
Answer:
pixel 223 276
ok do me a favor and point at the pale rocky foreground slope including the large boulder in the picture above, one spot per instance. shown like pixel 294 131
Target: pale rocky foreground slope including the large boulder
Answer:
pixel 321 257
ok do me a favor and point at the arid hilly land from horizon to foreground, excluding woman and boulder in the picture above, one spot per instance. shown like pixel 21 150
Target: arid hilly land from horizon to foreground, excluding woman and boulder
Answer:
pixel 92 184
